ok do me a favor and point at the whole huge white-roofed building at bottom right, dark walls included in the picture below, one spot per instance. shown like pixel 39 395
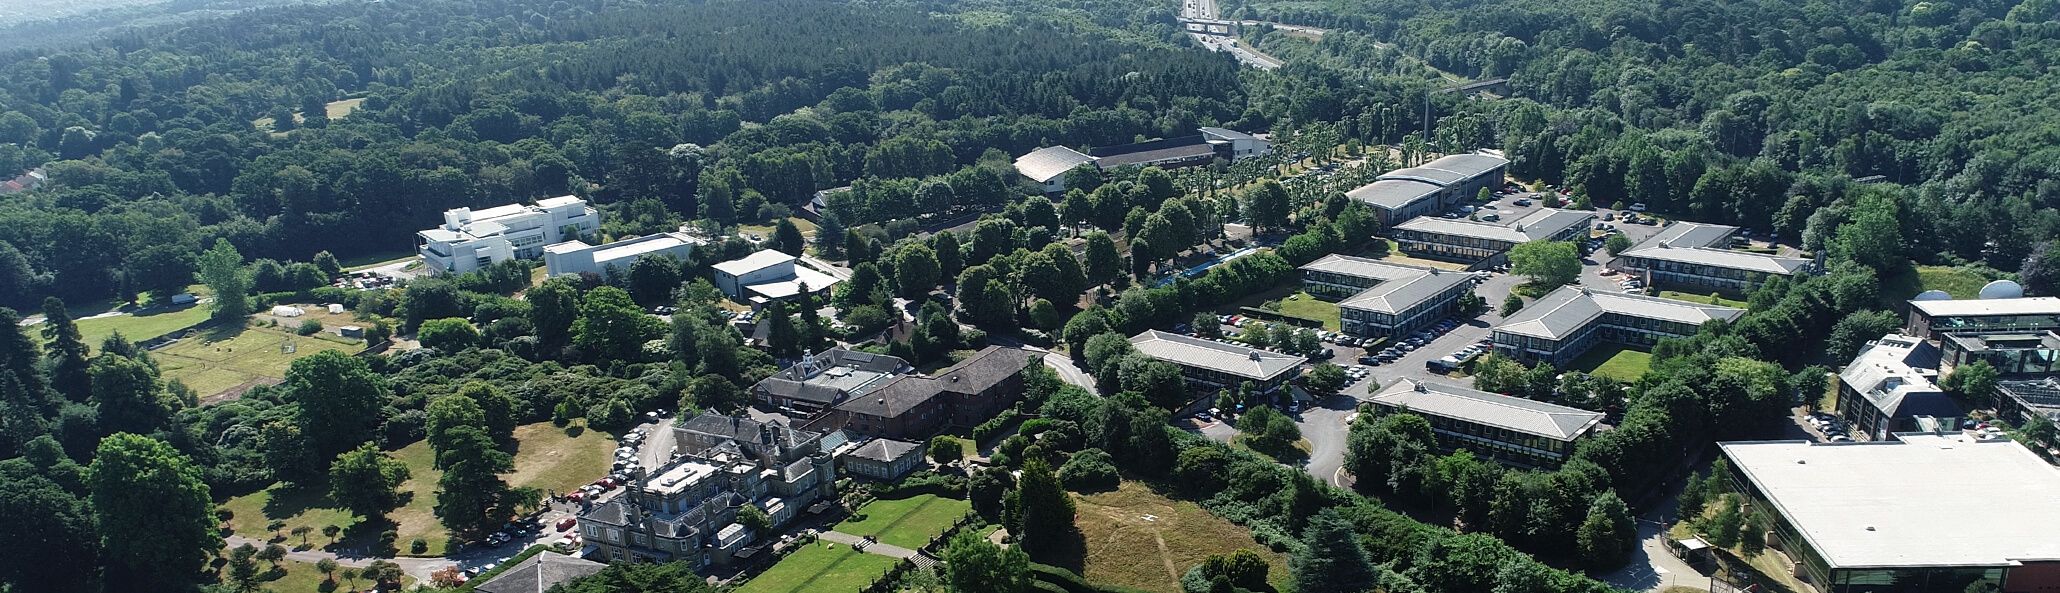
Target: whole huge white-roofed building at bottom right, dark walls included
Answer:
pixel 1917 516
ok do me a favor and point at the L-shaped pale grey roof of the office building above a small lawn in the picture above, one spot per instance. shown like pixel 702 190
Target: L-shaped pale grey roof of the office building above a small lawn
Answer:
pixel 1567 310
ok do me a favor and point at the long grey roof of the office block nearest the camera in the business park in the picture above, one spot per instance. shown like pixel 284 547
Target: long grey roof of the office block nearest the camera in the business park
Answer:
pixel 1486 409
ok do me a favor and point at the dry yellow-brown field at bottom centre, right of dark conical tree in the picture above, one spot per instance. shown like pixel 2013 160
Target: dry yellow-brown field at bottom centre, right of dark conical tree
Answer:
pixel 1138 538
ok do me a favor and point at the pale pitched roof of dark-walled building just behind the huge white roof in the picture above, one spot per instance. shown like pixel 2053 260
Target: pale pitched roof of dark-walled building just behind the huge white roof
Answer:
pixel 1896 374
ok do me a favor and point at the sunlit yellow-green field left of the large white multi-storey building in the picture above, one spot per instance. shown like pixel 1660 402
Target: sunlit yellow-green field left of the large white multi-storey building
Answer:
pixel 226 361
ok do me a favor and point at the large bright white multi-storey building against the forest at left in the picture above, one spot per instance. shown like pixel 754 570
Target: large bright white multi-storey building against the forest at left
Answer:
pixel 473 240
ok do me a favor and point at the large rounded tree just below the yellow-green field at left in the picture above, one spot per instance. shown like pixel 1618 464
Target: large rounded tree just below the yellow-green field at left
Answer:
pixel 339 400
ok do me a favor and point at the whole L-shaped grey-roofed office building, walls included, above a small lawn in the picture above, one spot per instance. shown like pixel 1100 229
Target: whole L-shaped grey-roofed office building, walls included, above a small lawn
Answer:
pixel 1571 320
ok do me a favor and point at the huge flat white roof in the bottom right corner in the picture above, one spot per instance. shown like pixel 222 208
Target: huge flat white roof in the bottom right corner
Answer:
pixel 1921 501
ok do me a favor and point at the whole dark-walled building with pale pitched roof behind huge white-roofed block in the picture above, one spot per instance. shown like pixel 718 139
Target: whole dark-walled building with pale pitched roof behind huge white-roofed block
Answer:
pixel 1890 386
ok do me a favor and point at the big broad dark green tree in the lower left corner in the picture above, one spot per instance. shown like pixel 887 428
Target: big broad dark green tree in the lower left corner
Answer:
pixel 156 516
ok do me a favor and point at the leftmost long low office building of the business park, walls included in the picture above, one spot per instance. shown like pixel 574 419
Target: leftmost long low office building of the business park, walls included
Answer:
pixel 1216 365
